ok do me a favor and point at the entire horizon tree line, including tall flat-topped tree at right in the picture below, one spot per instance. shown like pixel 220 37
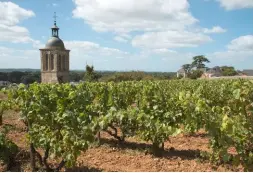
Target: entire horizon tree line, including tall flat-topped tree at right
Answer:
pixel 193 71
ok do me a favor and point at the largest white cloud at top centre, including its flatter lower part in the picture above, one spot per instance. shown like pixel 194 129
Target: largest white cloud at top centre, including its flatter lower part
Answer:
pixel 159 24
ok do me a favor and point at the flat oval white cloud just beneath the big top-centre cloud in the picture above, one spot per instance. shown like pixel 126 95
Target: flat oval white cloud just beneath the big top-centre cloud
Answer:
pixel 170 39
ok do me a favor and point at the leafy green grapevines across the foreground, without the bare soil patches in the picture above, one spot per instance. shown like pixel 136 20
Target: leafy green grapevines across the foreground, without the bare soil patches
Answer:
pixel 63 120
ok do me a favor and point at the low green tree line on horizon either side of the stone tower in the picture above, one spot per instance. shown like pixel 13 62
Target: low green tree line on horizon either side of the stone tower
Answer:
pixel 28 77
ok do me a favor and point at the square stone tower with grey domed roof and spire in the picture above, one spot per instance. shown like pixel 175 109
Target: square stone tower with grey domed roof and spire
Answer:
pixel 54 59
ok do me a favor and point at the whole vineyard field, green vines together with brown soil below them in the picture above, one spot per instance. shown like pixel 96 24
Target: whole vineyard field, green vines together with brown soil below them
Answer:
pixel 176 125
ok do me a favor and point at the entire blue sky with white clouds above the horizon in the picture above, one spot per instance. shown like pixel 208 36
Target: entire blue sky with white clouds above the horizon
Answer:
pixel 124 35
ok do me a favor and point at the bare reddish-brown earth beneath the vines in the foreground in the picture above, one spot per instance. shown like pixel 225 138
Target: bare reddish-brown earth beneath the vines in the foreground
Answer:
pixel 181 154
